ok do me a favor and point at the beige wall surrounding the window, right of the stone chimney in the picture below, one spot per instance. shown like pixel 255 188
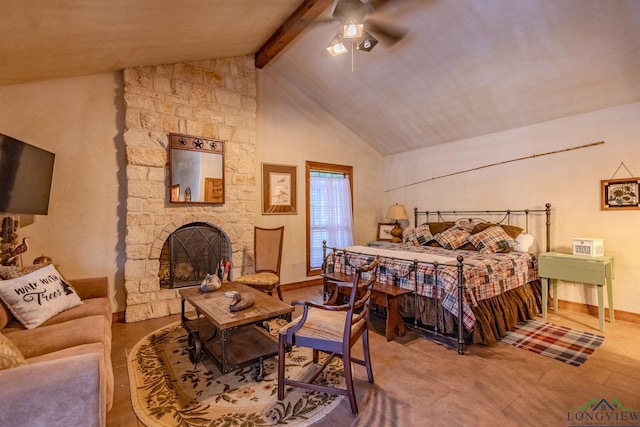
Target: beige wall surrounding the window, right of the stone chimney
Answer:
pixel 292 129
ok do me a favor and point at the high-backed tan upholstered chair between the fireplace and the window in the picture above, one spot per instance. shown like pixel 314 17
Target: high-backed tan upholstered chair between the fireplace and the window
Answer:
pixel 267 250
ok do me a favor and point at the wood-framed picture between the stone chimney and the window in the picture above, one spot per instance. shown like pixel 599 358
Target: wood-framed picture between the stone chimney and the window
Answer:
pixel 278 189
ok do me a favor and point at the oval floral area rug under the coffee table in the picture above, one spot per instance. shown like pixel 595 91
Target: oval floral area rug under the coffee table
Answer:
pixel 168 390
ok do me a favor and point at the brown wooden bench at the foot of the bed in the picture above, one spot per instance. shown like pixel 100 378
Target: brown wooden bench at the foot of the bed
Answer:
pixel 382 294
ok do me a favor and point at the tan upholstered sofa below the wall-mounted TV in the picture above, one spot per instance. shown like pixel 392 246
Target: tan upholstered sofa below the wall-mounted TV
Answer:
pixel 65 377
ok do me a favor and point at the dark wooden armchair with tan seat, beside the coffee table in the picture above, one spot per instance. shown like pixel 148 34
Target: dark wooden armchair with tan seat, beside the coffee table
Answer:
pixel 332 329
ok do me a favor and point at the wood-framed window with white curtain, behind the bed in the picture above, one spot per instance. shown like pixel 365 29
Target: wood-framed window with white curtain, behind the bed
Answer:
pixel 329 210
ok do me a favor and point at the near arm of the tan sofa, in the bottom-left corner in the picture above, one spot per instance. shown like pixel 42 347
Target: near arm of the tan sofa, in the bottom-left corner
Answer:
pixel 63 392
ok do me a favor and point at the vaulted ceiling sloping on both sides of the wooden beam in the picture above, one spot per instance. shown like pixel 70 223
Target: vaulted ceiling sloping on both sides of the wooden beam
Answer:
pixel 465 68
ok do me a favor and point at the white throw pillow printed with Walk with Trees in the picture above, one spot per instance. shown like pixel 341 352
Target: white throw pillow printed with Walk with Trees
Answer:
pixel 36 297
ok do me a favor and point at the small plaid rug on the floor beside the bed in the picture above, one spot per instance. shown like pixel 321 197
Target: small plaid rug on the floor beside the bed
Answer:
pixel 556 342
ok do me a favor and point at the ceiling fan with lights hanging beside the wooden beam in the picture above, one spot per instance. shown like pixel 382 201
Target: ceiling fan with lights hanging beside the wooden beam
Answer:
pixel 357 26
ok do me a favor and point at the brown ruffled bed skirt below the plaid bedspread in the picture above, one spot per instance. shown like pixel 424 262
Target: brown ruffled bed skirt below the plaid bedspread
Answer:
pixel 494 316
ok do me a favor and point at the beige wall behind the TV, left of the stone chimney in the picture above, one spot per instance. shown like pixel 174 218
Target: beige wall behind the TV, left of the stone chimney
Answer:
pixel 81 121
